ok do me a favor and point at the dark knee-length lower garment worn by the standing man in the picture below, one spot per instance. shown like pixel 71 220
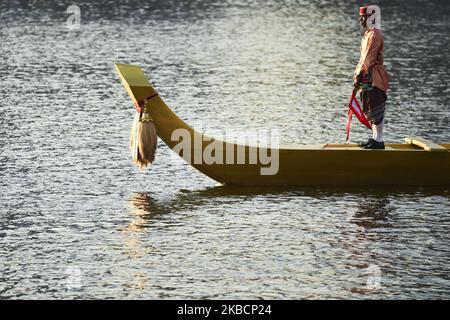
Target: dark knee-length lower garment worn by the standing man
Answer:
pixel 374 104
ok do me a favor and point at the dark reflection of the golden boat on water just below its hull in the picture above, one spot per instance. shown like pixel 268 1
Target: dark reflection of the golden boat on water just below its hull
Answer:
pixel 373 208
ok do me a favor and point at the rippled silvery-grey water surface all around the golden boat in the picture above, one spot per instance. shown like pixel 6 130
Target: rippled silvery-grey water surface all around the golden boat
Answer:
pixel 78 220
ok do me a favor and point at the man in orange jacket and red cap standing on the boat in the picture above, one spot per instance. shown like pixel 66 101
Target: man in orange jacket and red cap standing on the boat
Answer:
pixel 370 75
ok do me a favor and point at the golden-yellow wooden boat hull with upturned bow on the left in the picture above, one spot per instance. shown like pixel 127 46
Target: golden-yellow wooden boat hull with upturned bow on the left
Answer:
pixel 316 165
